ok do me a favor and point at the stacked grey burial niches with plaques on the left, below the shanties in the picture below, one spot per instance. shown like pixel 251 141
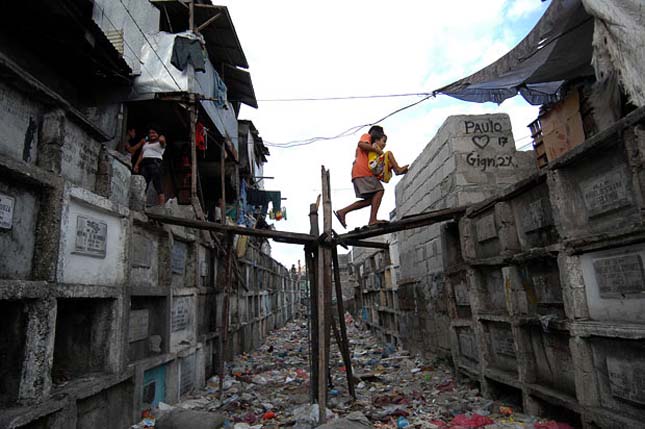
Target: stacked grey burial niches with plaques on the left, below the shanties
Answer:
pixel 104 312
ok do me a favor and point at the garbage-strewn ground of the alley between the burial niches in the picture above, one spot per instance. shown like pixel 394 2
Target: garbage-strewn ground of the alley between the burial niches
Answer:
pixel 270 389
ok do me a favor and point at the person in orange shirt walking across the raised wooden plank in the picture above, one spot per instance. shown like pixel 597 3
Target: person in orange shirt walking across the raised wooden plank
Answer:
pixel 366 186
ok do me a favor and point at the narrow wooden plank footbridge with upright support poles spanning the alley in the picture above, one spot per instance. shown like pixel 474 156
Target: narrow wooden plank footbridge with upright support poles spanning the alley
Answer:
pixel 321 257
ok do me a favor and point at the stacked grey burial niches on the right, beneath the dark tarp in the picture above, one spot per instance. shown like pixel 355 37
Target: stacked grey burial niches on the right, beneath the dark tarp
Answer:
pixel 547 305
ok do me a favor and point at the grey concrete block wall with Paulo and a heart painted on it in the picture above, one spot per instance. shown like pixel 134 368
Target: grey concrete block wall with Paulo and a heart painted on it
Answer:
pixel 470 158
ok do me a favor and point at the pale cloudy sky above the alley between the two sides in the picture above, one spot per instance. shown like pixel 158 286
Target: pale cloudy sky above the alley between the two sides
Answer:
pixel 306 49
